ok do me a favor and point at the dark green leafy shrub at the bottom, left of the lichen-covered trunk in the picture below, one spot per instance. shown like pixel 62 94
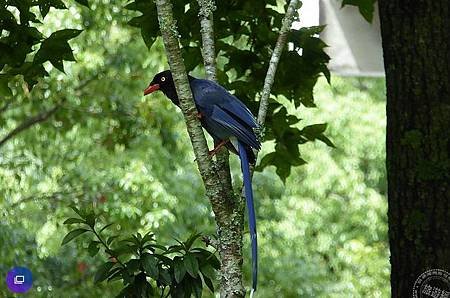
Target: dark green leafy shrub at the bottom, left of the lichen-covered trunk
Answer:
pixel 145 267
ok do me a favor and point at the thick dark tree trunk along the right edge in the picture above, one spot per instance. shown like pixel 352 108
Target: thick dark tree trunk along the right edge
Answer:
pixel 416 45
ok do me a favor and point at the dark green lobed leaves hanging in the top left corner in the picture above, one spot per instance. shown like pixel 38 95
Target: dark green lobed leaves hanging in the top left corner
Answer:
pixel 20 37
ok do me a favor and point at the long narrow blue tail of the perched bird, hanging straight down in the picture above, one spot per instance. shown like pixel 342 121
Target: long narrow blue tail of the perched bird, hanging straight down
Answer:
pixel 251 212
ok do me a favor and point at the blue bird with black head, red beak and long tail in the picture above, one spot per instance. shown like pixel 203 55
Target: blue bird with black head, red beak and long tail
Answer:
pixel 230 123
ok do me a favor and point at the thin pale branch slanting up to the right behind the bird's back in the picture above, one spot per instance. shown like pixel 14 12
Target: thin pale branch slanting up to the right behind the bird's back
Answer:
pixel 276 54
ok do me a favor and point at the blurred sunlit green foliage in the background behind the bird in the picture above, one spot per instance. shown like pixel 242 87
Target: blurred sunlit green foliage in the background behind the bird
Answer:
pixel 322 234
